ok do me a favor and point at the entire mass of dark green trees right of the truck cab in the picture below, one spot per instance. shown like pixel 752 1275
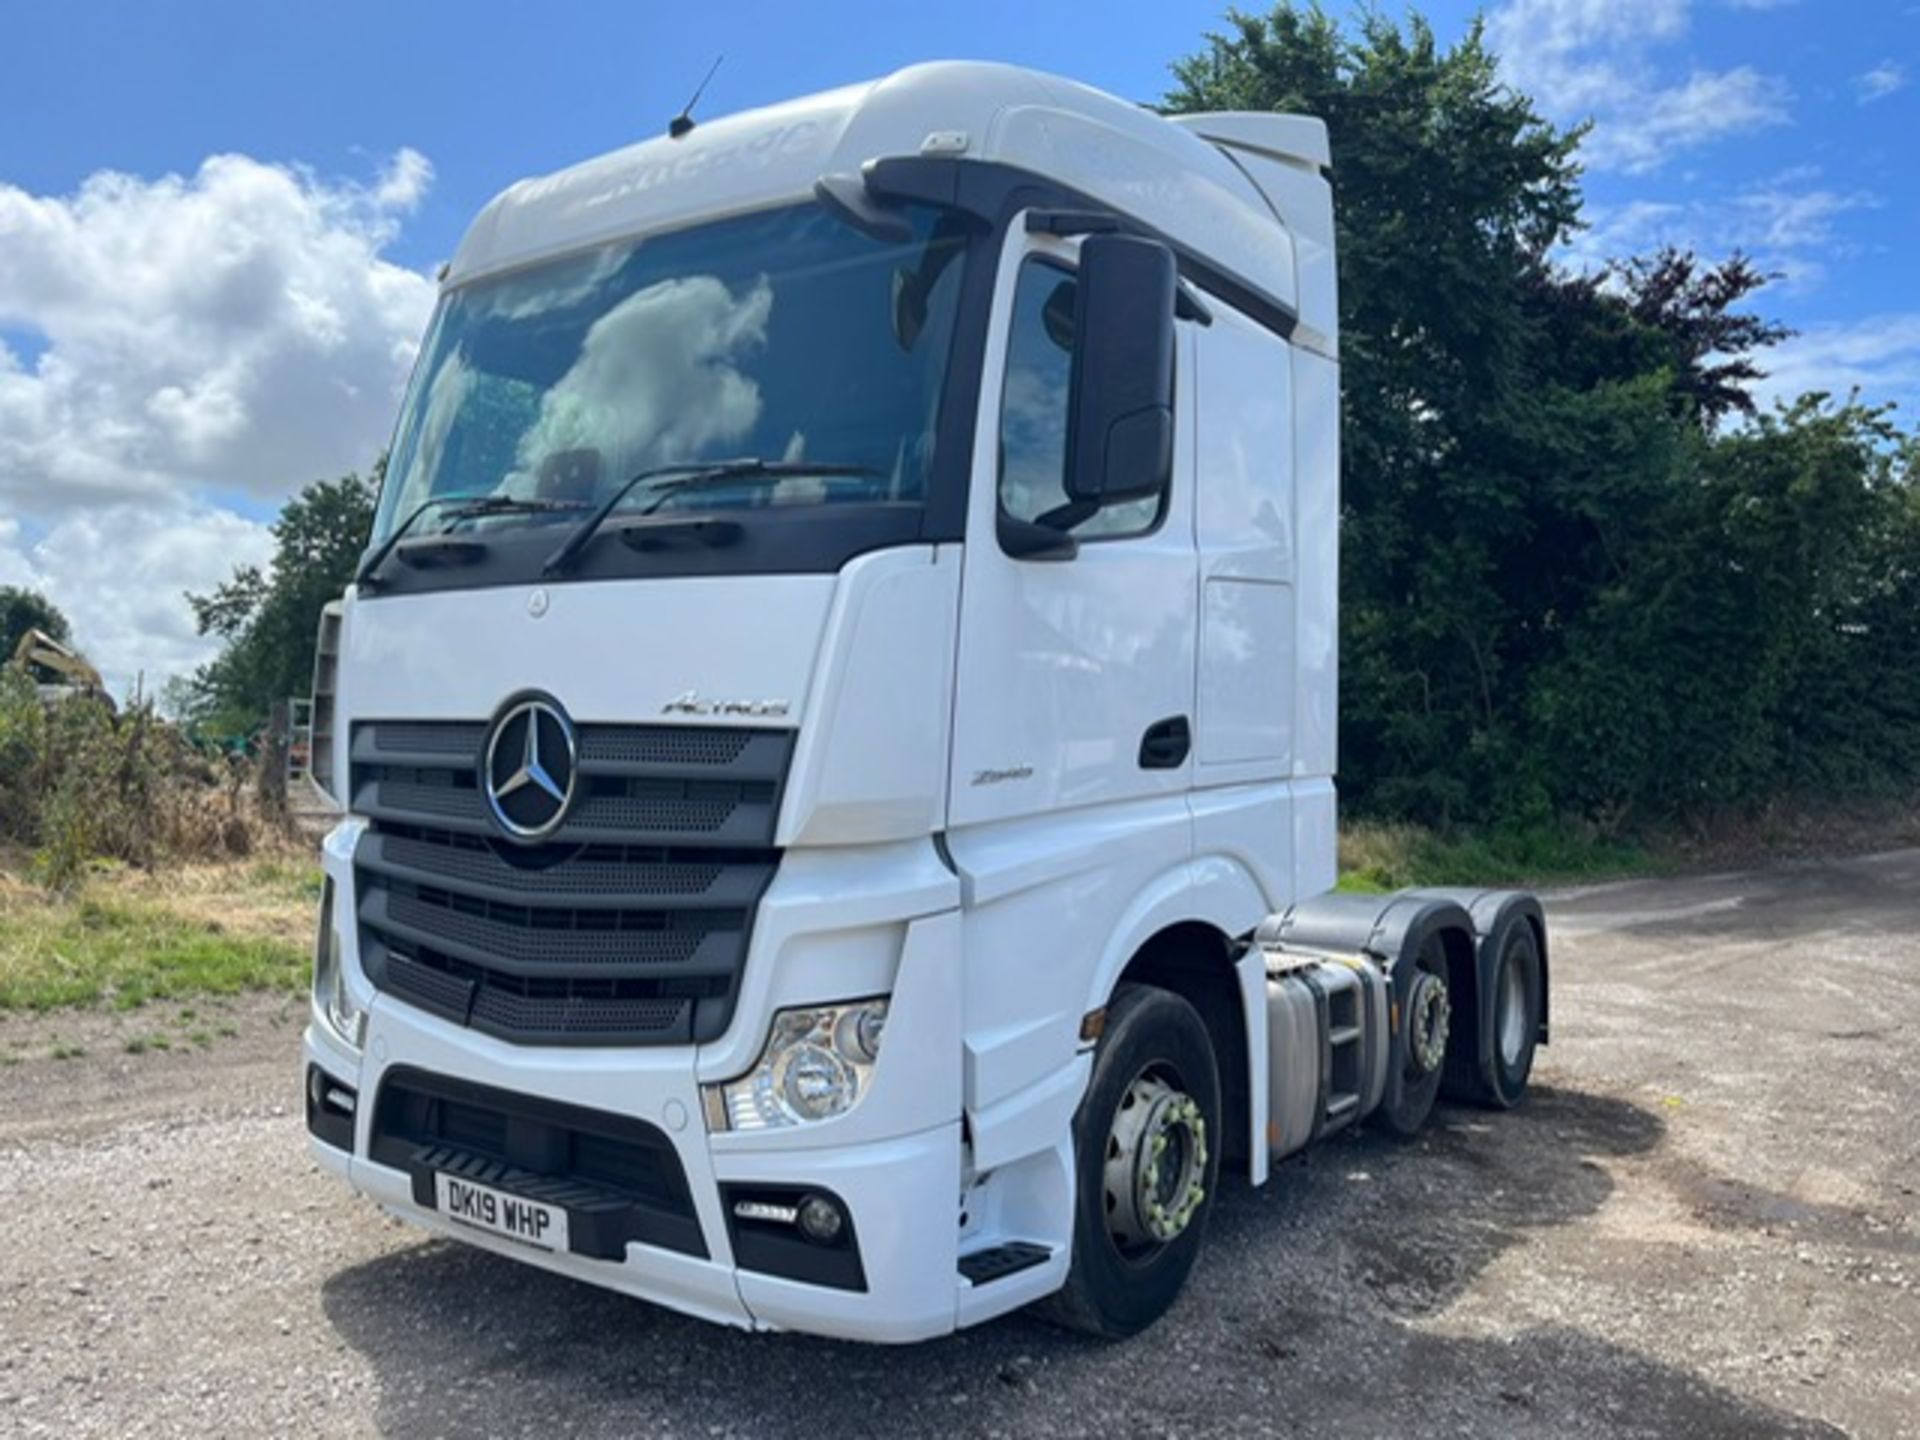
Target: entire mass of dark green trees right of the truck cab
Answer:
pixel 1572 585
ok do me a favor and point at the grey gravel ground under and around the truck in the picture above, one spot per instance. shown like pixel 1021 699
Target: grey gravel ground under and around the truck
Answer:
pixel 1704 1222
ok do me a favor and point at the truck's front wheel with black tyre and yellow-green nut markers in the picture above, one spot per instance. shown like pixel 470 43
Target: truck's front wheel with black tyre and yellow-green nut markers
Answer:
pixel 1147 1143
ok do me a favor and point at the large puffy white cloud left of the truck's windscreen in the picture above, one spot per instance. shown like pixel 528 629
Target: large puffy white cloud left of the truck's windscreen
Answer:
pixel 237 331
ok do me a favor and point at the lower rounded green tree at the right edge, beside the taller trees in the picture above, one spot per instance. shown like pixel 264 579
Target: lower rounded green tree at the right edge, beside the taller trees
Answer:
pixel 1765 638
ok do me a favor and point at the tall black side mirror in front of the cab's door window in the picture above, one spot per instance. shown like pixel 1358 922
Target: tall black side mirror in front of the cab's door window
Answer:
pixel 1120 402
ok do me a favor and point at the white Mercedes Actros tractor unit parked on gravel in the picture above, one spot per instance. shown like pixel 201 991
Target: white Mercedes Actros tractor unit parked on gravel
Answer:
pixel 836 725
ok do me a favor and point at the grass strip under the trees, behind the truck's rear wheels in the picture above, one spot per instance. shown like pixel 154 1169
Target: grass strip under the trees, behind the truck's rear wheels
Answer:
pixel 1387 857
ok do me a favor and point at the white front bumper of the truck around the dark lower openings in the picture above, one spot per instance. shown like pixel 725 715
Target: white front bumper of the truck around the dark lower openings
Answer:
pixel 894 1161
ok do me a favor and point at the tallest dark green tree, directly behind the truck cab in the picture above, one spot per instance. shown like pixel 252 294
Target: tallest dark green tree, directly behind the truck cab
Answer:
pixel 1451 193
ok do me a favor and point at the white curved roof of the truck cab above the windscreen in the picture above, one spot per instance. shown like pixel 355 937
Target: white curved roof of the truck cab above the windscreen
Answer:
pixel 1168 176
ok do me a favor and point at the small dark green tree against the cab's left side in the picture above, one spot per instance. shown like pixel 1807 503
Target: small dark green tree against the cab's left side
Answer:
pixel 270 619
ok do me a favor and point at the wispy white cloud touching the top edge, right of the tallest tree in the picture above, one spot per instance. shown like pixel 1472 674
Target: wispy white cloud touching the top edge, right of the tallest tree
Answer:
pixel 1602 60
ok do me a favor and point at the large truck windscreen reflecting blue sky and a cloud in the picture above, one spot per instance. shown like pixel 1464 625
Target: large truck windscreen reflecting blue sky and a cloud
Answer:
pixel 784 335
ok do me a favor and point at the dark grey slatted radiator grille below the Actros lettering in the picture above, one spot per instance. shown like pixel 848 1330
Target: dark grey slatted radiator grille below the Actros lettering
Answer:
pixel 627 926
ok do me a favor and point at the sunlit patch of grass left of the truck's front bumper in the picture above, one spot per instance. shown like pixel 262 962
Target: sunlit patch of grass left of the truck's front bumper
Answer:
pixel 128 938
